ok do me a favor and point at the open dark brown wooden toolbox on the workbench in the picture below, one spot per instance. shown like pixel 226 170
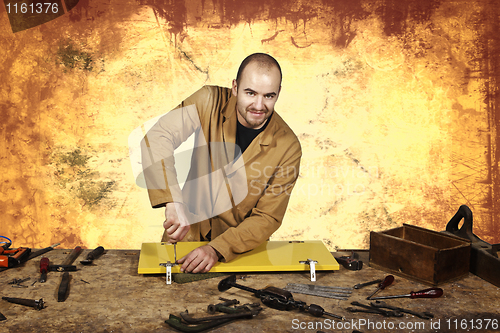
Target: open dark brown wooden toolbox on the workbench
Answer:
pixel 420 254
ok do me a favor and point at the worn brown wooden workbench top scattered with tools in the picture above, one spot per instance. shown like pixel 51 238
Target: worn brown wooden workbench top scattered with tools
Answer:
pixel 110 296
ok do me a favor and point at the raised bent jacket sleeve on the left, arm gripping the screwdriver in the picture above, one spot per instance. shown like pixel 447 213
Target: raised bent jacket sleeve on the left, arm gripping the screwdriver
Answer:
pixel 159 143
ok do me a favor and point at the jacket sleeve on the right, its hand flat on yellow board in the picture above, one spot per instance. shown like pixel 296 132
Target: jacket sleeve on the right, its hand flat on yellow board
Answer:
pixel 266 217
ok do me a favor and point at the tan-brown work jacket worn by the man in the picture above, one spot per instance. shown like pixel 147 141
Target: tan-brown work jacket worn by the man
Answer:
pixel 251 193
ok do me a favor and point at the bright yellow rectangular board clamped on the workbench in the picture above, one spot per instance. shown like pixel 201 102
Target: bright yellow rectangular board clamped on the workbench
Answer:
pixel 271 256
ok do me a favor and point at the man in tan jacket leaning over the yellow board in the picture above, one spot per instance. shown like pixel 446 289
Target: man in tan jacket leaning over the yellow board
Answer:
pixel 247 194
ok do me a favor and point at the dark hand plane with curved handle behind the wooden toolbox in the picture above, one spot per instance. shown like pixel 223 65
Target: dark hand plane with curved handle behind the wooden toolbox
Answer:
pixel 484 257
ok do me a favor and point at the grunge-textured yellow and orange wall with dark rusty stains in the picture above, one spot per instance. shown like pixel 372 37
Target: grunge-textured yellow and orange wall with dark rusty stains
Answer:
pixel 395 102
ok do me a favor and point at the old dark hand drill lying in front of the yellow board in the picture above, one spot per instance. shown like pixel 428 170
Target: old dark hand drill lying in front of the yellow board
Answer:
pixel 277 298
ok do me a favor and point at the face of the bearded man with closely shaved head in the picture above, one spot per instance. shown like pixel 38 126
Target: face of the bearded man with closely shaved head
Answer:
pixel 256 94
